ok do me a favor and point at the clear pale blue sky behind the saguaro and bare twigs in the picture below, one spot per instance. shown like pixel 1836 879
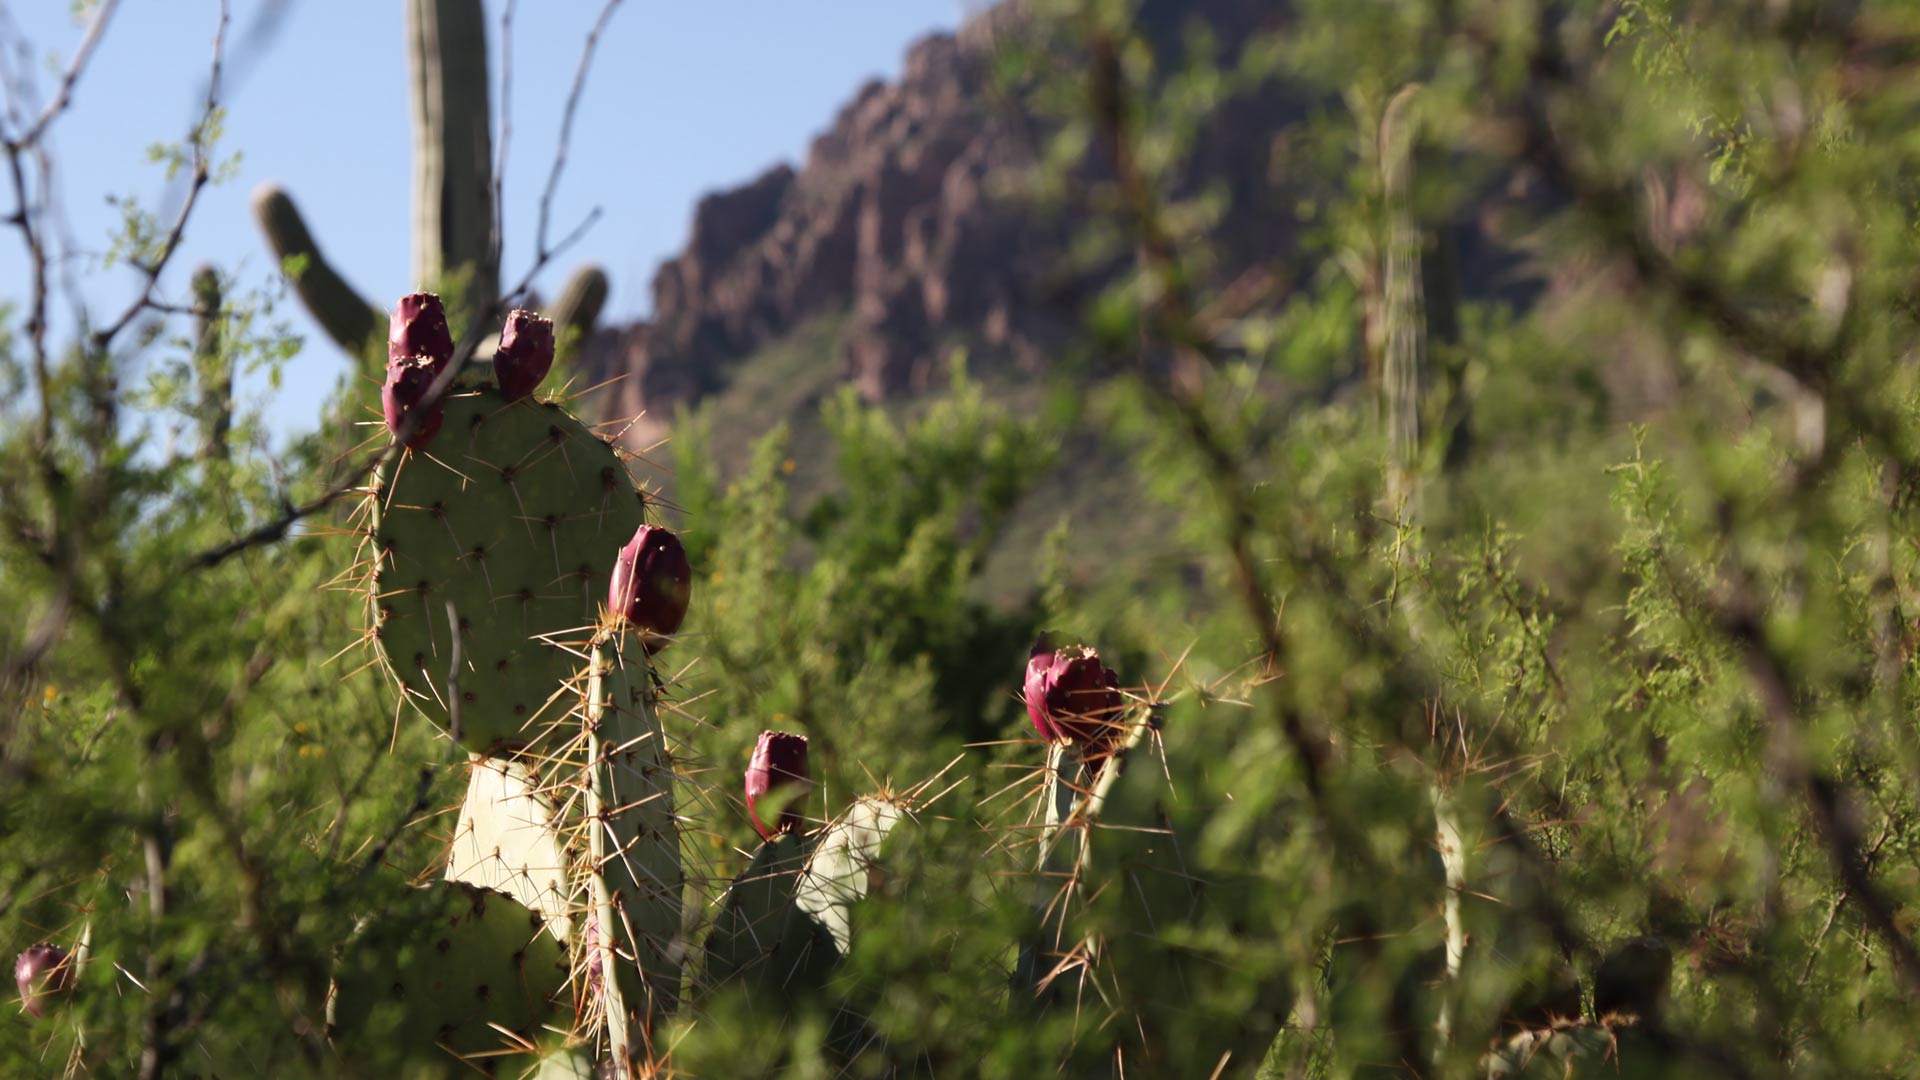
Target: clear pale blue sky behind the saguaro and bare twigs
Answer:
pixel 684 97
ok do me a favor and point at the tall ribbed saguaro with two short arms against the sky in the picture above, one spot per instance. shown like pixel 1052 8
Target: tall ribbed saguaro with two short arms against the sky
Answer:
pixel 454 207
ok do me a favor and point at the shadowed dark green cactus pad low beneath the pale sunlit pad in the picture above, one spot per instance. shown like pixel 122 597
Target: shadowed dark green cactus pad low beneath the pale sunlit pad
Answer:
pixel 443 989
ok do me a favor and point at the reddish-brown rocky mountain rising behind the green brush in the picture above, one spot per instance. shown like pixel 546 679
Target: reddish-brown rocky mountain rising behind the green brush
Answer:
pixel 903 224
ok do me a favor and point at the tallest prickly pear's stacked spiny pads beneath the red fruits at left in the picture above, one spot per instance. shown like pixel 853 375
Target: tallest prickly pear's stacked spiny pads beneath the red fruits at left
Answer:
pixel 494 545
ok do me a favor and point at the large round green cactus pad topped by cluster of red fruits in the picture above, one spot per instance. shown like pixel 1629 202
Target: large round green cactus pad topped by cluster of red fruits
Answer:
pixel 514 516
